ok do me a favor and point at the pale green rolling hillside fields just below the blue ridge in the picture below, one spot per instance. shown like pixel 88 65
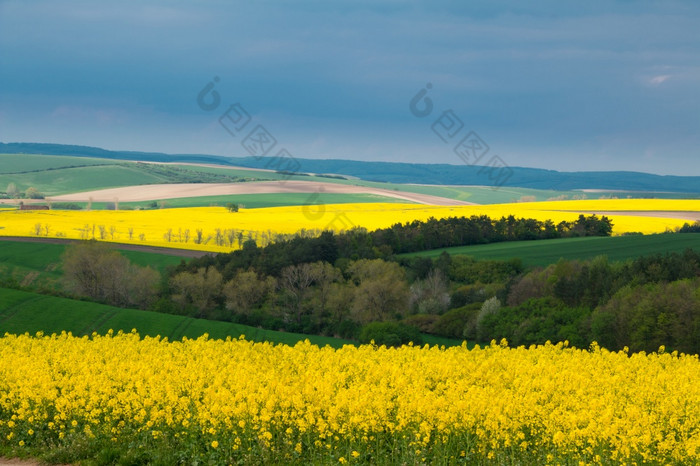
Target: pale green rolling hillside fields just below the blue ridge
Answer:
pixel 54 175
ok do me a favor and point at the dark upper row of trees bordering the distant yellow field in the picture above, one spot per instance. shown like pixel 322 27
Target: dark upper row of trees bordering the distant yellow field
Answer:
pixel 358 243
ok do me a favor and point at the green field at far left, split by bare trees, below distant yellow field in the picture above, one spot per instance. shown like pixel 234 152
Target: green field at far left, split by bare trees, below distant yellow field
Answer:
pixel 39 264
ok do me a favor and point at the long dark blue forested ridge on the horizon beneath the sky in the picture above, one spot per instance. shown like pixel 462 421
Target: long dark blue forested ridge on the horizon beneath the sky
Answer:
pixel 436 174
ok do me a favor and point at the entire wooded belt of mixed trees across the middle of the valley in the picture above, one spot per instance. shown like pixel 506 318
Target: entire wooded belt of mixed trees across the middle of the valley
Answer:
pixel 353 285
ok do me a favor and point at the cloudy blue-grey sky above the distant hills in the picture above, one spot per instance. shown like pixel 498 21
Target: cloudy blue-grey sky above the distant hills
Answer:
pixel 555 84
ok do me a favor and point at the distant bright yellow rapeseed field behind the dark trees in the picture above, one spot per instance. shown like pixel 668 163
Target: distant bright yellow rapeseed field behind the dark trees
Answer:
pixel 222 230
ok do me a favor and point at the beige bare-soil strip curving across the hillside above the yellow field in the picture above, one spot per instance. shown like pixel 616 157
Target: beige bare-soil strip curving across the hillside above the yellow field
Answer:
pixel 173 191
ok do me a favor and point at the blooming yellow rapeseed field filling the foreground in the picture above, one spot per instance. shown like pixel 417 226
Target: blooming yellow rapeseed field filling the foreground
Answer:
pixel 234 401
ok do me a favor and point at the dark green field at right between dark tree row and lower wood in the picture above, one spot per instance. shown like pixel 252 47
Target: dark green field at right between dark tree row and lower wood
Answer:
pixel 545 252
